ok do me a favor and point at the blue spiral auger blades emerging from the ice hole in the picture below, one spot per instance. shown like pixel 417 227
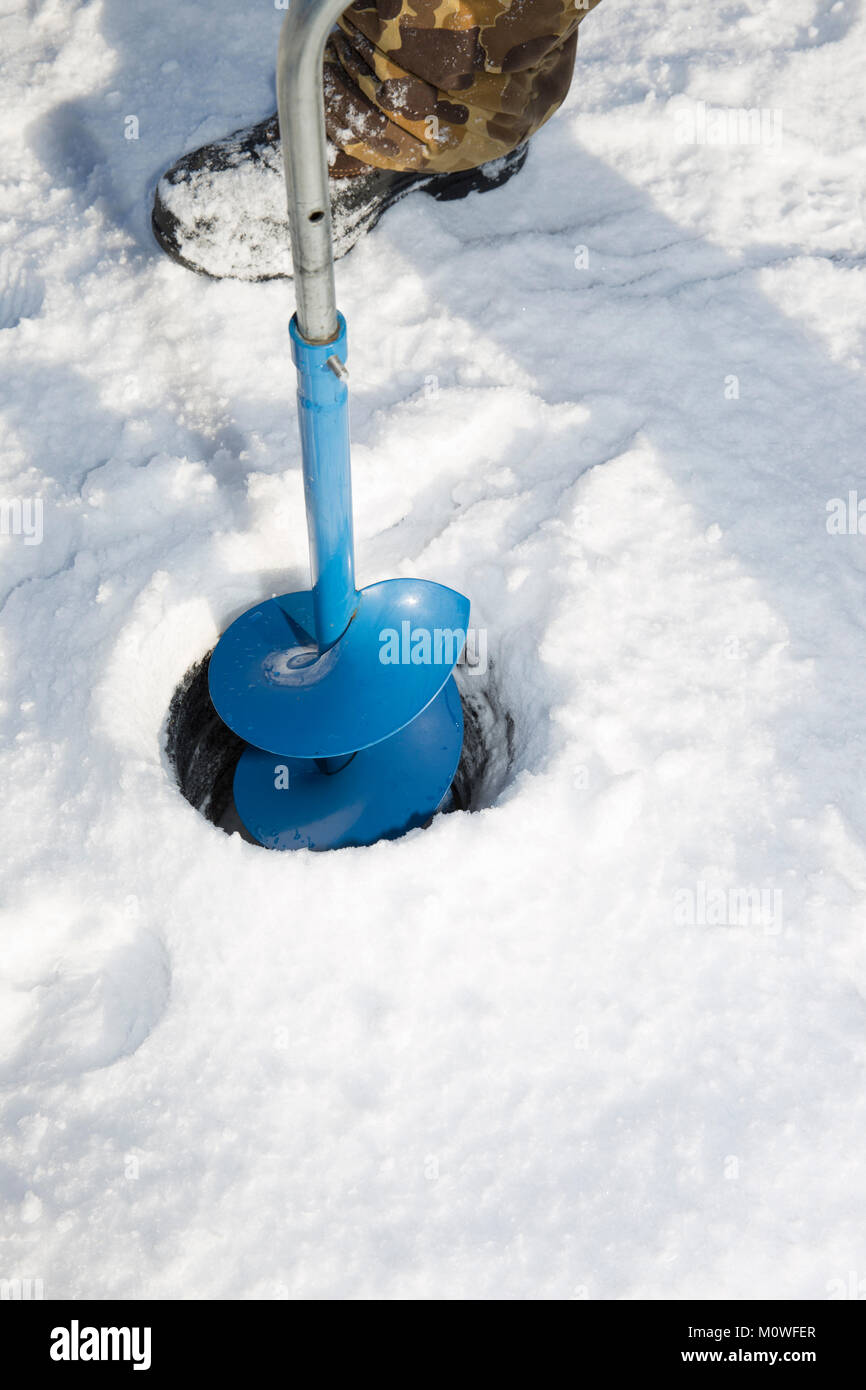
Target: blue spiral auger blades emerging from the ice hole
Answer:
pixel 350 746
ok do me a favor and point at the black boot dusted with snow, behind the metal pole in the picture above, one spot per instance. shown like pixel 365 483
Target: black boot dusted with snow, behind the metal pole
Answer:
pixel 222 211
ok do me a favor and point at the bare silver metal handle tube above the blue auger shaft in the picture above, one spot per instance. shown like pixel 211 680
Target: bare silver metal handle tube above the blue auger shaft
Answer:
pixel 302 126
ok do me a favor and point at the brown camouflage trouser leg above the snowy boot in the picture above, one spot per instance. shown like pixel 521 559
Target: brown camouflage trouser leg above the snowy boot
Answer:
pixel 446 85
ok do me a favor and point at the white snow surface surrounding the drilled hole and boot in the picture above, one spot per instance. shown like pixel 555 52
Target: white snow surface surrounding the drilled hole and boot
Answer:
pixel 489 1061
